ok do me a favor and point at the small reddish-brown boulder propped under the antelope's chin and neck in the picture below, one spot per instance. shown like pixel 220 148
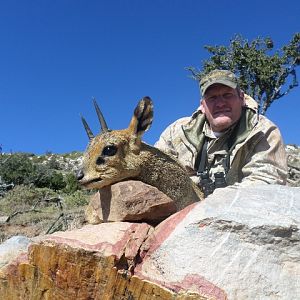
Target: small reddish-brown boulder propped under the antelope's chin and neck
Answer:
pixel 129 201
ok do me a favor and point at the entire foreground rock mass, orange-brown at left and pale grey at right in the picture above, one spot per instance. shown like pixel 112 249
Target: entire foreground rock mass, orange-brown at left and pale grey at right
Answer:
pixel 236 244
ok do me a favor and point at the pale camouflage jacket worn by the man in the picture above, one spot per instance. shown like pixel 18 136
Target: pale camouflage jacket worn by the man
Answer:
pixel 256 156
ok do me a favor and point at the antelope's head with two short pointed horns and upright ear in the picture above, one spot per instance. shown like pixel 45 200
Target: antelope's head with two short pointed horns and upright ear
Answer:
pixel 113 155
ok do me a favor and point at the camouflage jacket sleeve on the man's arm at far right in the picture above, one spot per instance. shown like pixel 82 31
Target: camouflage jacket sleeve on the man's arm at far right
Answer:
pixel 266 162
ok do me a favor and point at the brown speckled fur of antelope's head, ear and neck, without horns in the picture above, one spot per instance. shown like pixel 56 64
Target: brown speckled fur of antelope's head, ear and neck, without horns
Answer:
pixel 136 160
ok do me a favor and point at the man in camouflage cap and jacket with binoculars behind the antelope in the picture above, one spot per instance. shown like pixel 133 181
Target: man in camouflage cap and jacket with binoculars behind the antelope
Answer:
pixel 225 142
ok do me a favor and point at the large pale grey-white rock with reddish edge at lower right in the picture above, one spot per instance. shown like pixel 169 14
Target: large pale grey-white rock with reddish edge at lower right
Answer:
pixel 246 242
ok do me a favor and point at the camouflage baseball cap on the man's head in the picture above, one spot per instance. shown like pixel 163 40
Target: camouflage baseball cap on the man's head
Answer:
pixel 218 76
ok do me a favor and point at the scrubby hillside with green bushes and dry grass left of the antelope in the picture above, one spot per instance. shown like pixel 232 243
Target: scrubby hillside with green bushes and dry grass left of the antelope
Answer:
pixel 40 194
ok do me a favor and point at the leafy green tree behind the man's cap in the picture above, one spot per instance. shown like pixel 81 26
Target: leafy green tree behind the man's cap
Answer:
pixel 264 74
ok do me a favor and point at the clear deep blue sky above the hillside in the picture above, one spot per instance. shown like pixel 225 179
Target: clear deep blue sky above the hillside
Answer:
pixel 56 55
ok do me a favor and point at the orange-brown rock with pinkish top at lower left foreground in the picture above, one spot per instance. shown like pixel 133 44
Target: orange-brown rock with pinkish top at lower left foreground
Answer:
pixel 95 262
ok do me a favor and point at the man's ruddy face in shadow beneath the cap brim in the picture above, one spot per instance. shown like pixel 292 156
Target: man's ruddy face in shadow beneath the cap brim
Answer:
pixel 222 106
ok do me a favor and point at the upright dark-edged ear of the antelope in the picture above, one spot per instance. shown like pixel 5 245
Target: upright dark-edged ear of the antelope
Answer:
pixel 140 122
